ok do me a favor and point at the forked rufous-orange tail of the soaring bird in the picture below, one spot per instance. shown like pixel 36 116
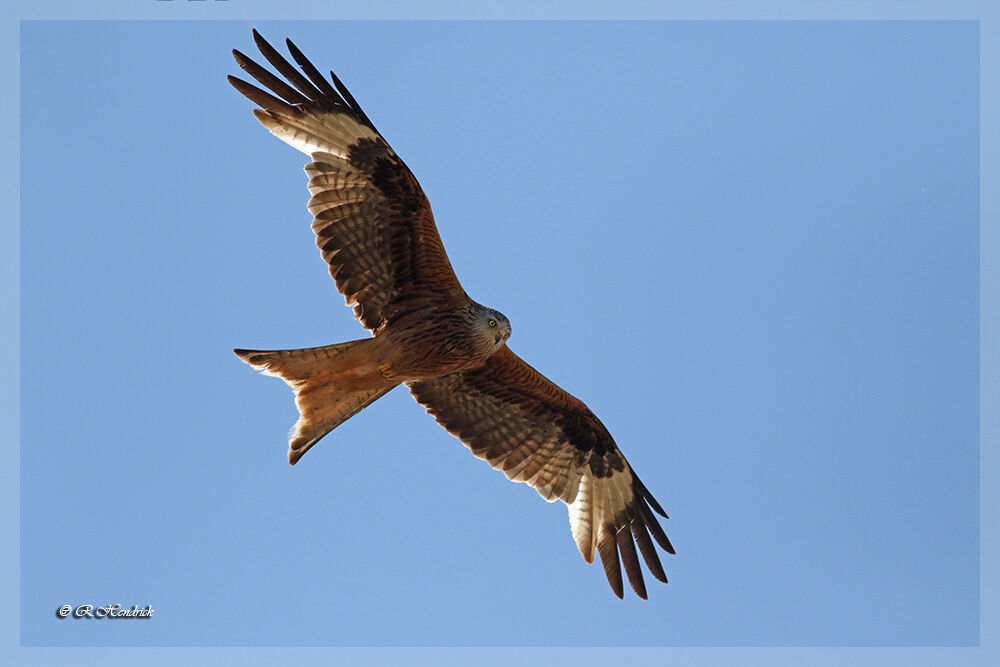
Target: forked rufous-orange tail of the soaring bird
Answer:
pixel 312 374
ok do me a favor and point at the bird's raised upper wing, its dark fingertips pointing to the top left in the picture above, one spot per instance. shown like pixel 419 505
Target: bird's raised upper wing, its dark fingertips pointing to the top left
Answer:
pixel 371 218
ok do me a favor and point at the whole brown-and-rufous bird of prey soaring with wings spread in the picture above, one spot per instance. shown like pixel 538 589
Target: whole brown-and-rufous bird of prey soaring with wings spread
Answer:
pixel 374 227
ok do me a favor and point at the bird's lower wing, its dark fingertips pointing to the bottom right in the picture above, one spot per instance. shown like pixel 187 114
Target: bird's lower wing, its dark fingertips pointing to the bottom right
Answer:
pixel 521 423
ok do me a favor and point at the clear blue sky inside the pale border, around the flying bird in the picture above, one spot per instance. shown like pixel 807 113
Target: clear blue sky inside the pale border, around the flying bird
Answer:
pixel 751 248
